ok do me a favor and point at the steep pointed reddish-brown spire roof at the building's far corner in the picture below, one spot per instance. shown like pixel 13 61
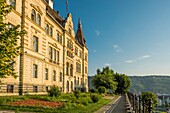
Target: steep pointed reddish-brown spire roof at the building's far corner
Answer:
pixel 79 35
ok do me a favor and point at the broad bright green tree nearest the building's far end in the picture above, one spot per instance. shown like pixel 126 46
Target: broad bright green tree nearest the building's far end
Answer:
pixel 105 78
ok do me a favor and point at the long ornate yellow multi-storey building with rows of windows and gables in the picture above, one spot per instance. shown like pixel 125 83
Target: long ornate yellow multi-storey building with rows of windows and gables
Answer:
pixel 52 53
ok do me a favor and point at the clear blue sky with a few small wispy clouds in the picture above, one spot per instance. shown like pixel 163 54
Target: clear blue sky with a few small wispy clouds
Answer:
pixel 130 36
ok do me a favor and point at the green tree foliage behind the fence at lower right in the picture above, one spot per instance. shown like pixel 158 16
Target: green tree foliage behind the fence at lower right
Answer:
pixel 149 95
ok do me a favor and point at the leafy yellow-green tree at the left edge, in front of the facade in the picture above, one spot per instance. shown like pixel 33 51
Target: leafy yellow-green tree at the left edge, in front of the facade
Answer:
pixel 9 48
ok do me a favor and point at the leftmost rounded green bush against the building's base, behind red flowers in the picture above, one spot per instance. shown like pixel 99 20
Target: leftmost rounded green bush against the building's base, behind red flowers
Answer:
pixel 54 91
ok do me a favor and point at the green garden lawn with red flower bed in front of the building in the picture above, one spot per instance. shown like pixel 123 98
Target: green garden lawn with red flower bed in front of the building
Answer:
pixel 65 103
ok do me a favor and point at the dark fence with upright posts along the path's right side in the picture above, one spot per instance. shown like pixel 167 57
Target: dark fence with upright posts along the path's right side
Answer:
pixel 139 105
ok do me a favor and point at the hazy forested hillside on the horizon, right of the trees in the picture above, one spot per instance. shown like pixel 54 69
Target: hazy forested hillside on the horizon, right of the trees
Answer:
pixel 157 84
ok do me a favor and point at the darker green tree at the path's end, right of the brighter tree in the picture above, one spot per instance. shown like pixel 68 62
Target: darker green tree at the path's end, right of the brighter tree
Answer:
pixel 123 83
